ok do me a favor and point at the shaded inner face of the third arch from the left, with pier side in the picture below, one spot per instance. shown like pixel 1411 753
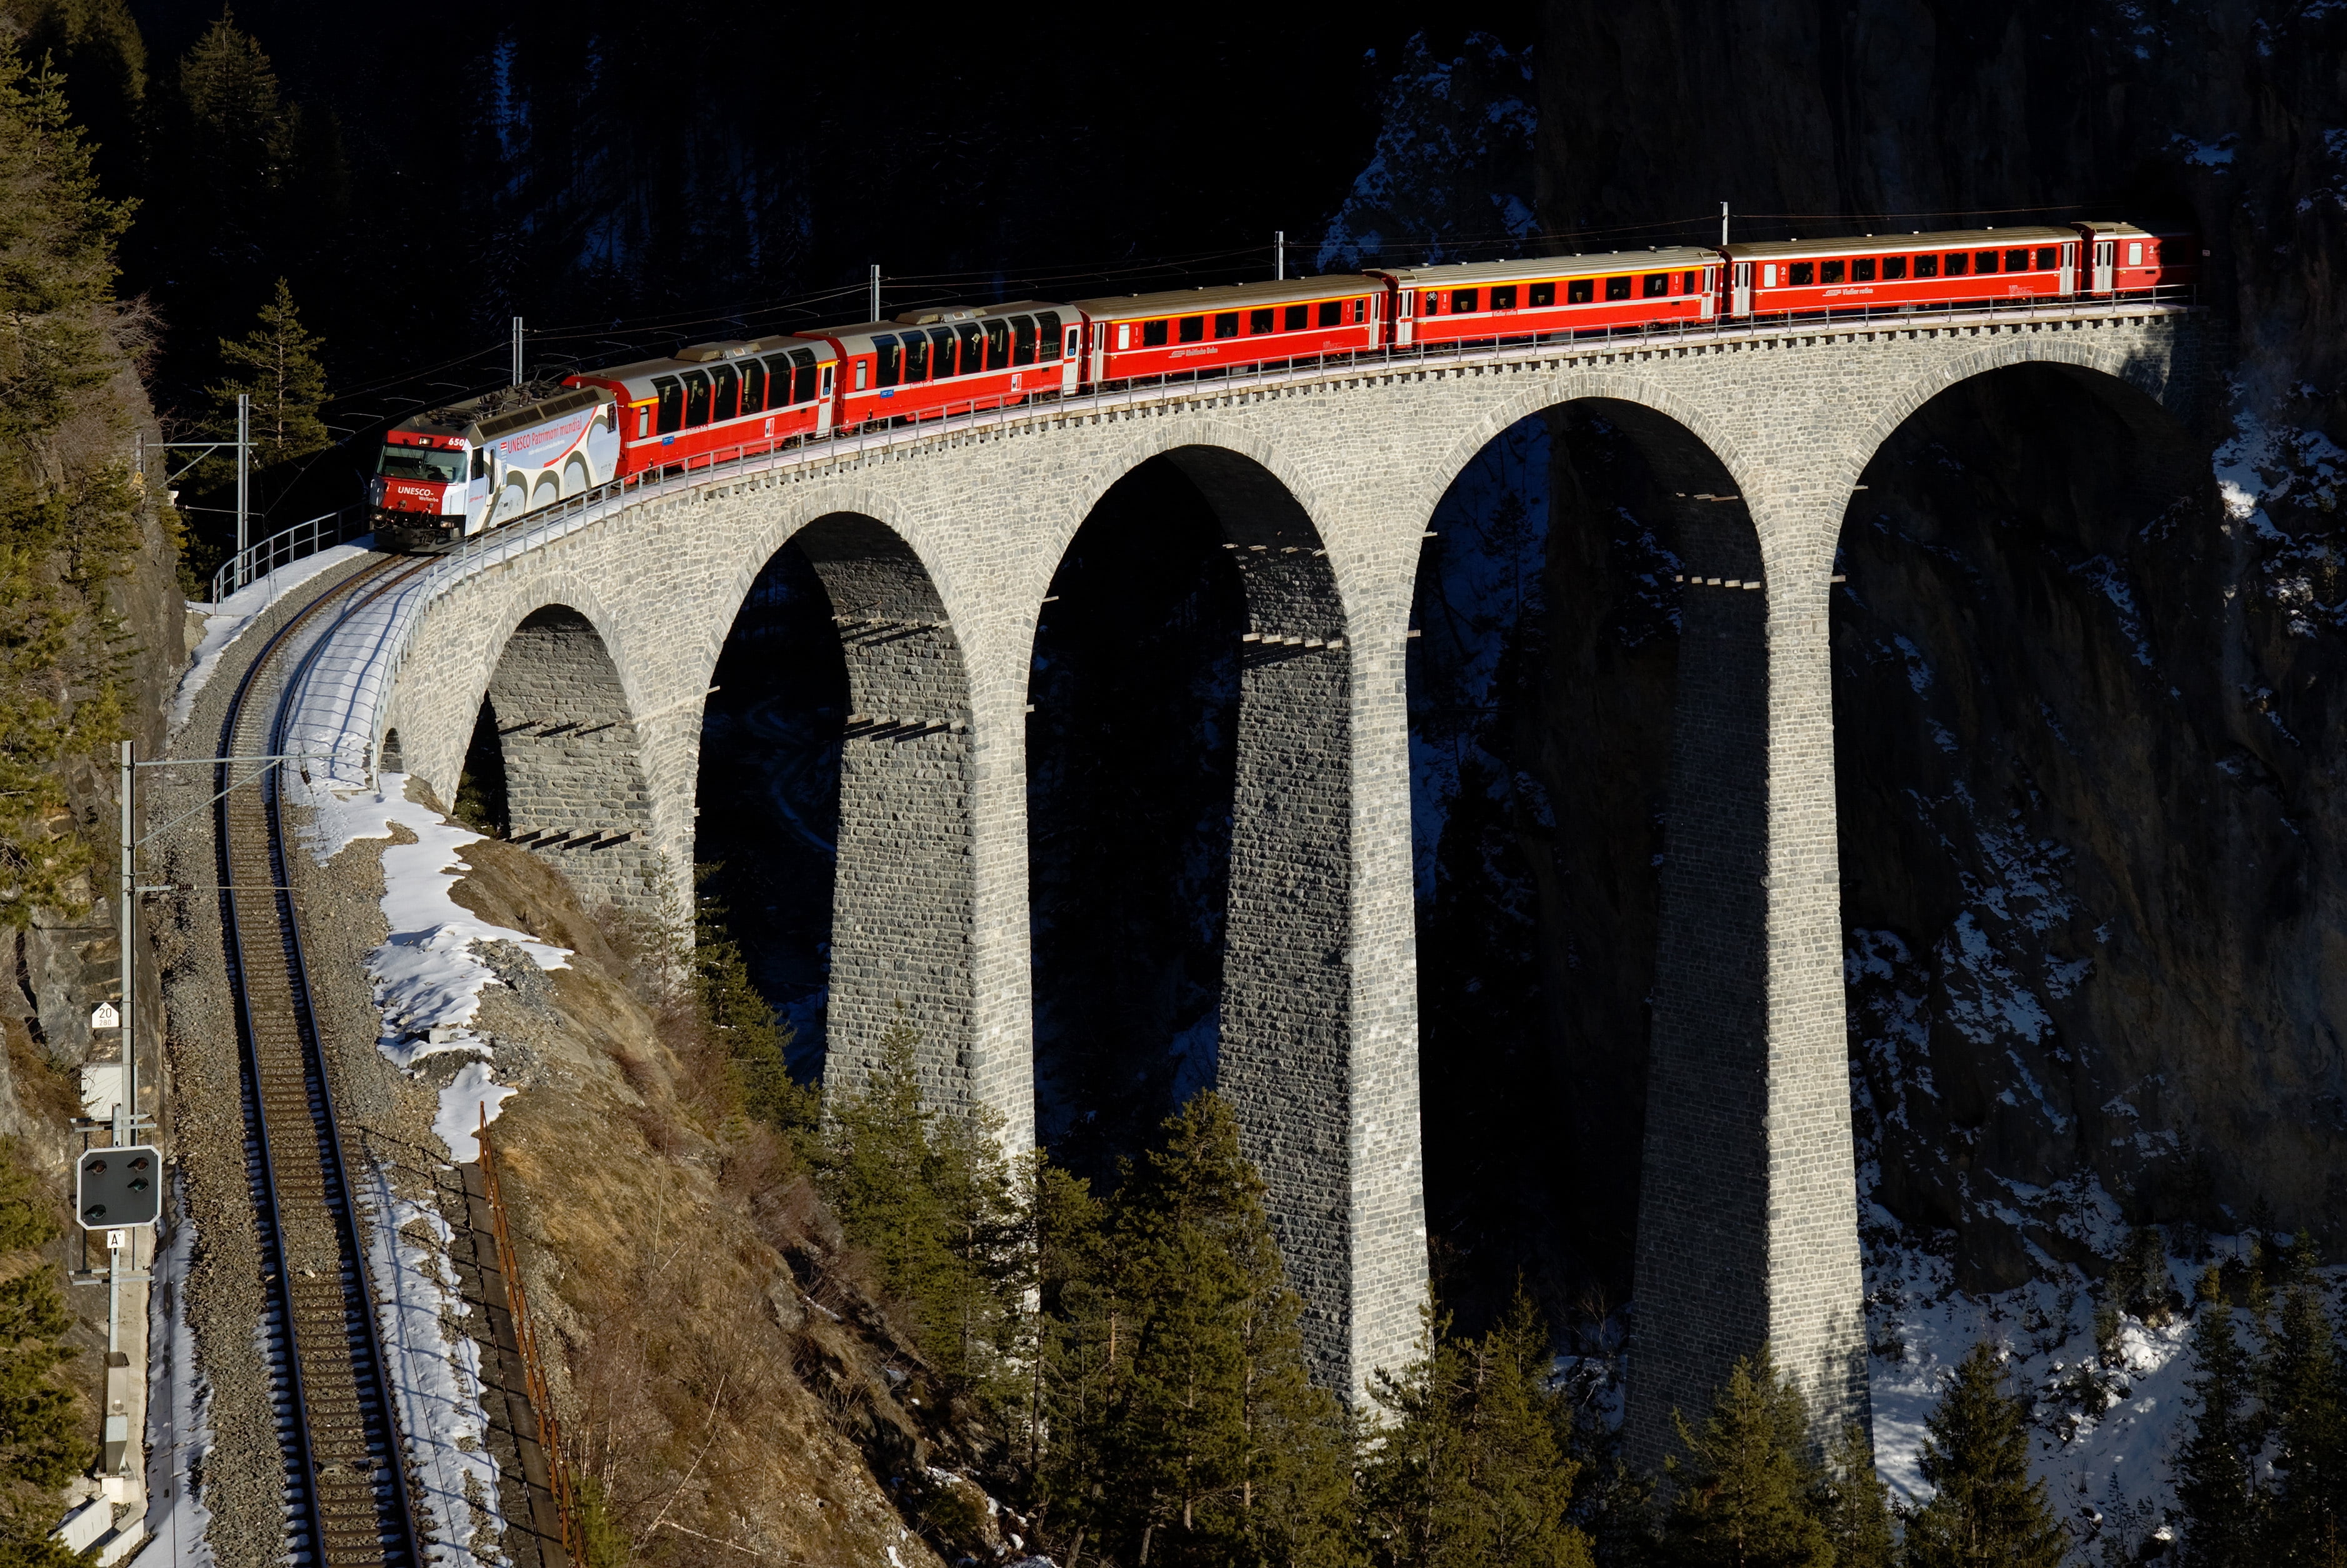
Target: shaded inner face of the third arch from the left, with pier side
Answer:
pixel 1287 1020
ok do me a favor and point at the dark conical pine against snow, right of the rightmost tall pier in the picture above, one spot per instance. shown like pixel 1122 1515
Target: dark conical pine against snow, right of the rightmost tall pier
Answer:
pixel 1987 1510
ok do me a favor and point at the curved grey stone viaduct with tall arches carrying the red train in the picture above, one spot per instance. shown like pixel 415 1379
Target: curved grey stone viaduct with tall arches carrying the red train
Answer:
pixel 595 635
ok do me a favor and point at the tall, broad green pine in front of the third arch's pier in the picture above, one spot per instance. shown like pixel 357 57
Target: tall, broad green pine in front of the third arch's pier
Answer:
pixel 1210 1442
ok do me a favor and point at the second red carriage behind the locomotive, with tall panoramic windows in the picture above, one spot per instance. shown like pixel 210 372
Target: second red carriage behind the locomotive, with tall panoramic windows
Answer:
pixel 931 363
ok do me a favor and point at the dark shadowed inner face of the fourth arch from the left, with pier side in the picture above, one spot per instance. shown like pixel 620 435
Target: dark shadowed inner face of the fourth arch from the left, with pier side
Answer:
pixel 1707 1165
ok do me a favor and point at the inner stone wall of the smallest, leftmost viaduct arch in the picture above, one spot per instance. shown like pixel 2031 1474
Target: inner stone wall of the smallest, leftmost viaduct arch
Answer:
pixel 574 764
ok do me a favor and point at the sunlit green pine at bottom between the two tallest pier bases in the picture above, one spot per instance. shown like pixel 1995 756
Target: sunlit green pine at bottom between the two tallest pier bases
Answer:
pixel 1475 1464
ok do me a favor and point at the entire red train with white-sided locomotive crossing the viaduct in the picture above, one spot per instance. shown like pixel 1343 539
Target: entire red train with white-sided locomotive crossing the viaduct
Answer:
pixel 456 471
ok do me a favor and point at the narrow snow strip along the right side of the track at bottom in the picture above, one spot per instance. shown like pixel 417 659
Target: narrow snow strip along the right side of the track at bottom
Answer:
pixel 435 1367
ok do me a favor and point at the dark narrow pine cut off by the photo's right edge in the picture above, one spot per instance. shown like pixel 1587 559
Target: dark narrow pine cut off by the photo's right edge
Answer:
pixel 2306 1520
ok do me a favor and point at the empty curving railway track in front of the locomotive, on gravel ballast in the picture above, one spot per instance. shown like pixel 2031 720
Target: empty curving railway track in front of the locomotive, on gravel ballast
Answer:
pixel 344 1461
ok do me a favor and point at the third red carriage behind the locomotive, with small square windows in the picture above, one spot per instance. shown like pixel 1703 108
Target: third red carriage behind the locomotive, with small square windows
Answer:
pixel 1233 325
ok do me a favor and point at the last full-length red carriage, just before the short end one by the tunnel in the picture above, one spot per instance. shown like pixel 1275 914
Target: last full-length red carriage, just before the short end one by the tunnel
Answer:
pixel 1902 271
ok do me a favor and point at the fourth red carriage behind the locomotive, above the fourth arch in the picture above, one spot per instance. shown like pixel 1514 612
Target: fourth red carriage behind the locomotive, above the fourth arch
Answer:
pixel 1501 299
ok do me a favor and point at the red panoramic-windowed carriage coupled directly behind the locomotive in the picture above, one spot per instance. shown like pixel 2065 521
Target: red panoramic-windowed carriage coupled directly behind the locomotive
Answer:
pixel 717 398
